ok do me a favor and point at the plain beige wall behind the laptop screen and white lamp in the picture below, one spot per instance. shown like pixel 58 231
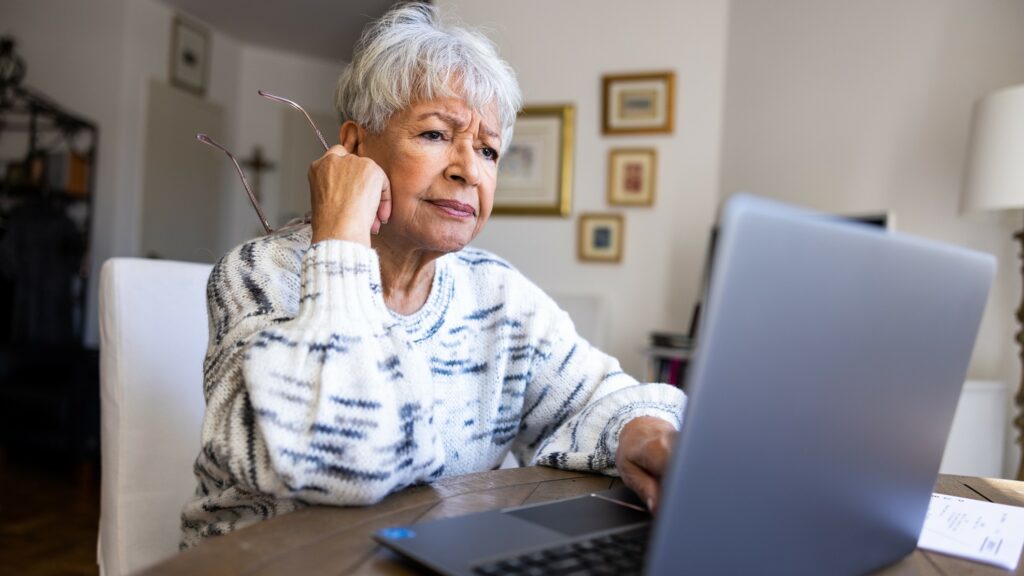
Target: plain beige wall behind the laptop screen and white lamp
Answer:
pixel 865 107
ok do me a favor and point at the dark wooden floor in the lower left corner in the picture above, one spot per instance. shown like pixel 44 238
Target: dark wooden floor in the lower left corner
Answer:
pixel 49 518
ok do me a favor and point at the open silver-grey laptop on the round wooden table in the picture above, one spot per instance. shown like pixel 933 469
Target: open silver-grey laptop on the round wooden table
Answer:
pixel 829 366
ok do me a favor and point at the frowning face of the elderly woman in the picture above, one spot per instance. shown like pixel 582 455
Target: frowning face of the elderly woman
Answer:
pixel 442 159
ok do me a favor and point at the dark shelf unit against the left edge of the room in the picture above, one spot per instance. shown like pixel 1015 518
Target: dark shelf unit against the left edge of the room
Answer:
pixel 50 401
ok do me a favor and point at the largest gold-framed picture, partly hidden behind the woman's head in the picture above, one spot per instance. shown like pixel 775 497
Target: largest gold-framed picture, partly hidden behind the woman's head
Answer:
pixel 535 176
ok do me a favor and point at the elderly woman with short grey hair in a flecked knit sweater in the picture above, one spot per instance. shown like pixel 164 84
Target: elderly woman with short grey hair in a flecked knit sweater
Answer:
pixel 373 350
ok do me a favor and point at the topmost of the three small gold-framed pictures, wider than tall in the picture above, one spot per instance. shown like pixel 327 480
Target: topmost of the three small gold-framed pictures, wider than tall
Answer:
pixel 638 104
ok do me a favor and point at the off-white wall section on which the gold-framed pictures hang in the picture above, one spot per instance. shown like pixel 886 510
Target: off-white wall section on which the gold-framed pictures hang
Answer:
pixel 561 51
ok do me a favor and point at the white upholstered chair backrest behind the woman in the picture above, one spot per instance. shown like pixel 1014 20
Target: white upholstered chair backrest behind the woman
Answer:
pixel 153 341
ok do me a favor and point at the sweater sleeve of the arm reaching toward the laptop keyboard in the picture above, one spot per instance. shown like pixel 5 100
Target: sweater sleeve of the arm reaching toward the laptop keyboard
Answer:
pixel 579 399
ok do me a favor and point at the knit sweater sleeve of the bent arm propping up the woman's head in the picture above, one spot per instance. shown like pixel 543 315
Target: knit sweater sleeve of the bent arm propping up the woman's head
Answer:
pixel 323 400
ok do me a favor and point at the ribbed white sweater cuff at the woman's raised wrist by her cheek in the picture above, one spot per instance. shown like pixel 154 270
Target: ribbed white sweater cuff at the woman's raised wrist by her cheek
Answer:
pixel 342 280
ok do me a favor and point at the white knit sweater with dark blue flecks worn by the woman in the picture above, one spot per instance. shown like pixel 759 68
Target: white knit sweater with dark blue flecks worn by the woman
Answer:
pixel 318 394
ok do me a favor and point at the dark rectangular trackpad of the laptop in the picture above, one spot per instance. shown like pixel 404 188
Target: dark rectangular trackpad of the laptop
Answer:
pixel 582 516
